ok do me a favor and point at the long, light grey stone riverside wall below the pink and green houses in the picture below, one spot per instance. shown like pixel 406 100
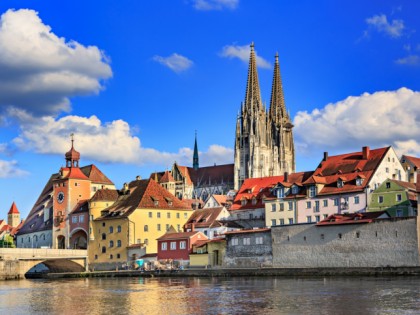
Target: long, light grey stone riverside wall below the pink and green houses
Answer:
pixel 386 242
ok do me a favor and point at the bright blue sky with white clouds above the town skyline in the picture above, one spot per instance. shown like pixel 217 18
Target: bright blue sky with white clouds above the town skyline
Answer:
pixel 134 80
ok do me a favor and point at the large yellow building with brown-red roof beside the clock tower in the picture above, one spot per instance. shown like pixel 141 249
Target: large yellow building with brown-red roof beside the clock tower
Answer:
pixel 142 212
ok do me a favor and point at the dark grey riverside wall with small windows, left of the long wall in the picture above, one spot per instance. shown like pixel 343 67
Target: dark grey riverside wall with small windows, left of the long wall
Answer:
pixel 252 255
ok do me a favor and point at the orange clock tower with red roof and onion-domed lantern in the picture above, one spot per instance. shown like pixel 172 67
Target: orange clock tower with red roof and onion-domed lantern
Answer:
pixel 69 187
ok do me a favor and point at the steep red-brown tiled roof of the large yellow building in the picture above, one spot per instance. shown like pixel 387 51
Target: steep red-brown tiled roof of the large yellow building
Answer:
pixel 144 193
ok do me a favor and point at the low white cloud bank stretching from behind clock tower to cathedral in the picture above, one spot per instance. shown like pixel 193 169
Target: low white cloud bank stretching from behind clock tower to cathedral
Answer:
pixel 111 142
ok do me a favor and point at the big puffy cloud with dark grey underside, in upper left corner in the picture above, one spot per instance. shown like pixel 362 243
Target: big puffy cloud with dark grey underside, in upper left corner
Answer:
pixel 40 71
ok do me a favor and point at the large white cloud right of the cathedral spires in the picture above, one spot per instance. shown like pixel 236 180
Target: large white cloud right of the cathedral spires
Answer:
pixel 379 119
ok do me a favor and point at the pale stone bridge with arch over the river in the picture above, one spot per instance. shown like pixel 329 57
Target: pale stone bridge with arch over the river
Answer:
pixel 16 262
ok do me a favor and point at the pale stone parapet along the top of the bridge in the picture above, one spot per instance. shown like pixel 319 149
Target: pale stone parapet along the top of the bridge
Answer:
pixel 28 253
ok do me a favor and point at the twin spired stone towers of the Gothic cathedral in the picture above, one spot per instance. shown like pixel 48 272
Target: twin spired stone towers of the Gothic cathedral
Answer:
pixel 264 139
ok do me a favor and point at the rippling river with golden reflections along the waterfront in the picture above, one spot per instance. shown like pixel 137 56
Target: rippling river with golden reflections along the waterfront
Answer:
pixel 396 295
